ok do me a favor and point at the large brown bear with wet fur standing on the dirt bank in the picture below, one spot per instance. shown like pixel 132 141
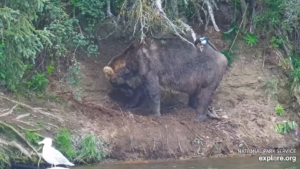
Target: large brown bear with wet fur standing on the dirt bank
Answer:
pixel 175 64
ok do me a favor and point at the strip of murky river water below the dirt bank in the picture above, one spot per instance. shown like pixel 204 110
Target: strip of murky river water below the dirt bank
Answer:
pixel 209 163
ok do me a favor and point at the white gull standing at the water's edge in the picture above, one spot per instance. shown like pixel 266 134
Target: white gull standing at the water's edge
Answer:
pixel 51 155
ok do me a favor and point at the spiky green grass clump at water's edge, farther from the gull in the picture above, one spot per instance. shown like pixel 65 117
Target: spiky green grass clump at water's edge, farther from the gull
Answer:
pixel 91 150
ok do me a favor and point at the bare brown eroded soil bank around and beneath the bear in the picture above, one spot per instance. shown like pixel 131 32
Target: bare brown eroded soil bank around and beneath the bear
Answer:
pixel 132 136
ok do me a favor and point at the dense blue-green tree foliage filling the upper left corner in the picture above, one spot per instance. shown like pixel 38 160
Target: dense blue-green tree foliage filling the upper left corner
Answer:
pixel 32 27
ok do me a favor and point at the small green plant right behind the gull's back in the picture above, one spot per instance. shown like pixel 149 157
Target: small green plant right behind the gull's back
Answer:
pixel 64 143
